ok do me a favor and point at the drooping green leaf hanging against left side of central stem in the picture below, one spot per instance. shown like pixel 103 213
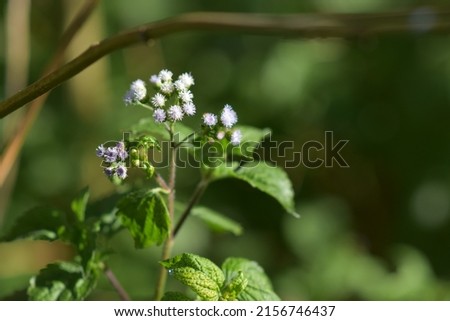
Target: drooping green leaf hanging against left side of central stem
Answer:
pixel 145 215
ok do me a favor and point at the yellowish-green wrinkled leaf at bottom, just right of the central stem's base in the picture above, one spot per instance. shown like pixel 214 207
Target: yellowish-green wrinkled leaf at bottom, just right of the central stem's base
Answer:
pixel 200 274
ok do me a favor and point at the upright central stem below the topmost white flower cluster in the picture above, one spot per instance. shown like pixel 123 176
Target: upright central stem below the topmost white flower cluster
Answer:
pixel 167 248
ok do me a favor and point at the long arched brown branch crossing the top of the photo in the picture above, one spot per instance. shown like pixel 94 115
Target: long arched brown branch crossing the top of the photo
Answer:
pixel 299 25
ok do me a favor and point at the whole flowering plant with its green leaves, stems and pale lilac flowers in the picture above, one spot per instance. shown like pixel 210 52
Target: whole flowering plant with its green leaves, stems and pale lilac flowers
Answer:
pixel 220 151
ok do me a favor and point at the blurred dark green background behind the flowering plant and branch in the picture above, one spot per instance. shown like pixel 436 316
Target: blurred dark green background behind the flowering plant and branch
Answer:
pixel 378 230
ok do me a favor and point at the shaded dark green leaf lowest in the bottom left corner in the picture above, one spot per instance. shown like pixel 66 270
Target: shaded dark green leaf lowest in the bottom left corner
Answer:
pixel 61 281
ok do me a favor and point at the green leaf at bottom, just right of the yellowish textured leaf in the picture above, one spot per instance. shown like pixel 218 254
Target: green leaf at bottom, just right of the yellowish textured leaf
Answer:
pixel 258 287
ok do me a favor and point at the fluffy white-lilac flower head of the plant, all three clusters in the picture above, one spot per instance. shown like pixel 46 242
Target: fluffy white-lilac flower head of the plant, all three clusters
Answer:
pixel 172 101
